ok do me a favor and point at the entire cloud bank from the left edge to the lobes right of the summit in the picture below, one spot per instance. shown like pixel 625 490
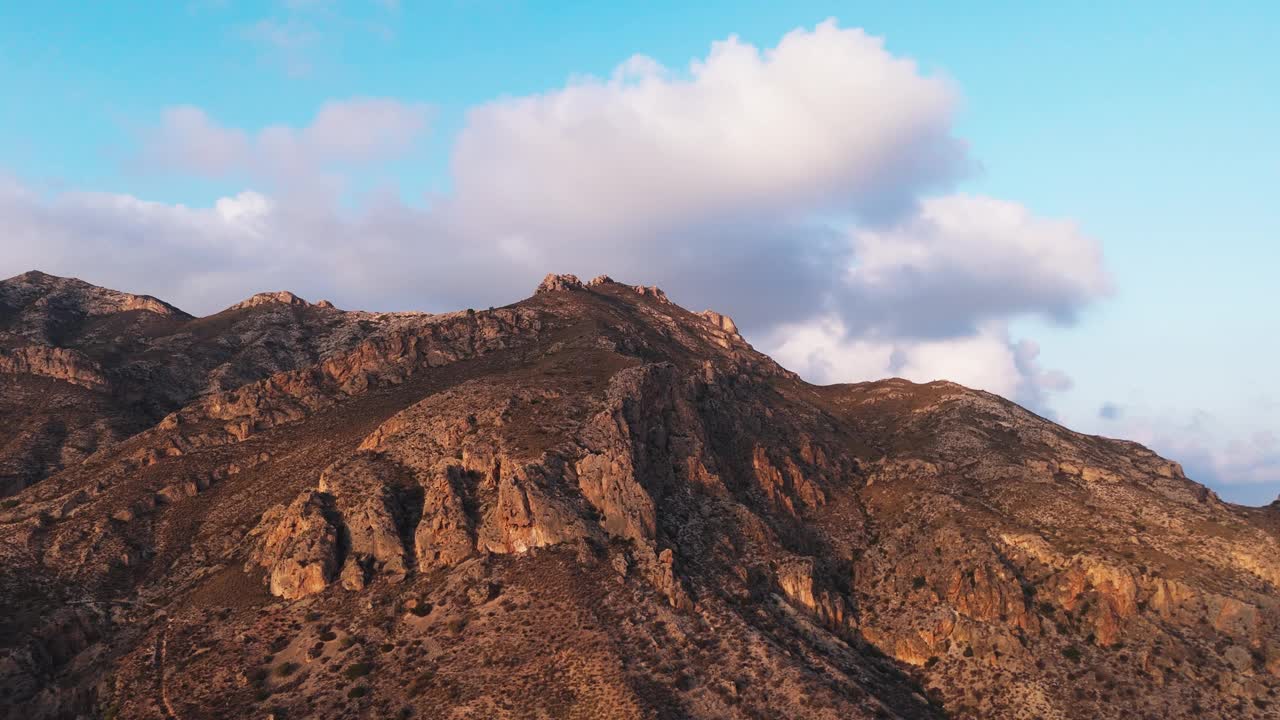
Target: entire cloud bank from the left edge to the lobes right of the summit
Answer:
pixel 802 188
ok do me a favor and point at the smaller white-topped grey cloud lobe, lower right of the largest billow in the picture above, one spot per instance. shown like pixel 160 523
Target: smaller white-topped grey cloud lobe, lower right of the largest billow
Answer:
pixel 964 261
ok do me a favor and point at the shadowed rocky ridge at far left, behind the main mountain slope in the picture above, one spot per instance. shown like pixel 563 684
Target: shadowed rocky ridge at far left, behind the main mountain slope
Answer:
pixel 135 359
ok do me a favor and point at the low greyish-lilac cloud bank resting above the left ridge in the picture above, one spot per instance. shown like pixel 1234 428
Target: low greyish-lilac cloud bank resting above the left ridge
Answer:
pixel 204 259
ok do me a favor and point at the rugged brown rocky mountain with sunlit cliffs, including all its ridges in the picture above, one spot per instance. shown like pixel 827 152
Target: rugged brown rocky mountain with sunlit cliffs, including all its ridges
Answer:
pixel 589 504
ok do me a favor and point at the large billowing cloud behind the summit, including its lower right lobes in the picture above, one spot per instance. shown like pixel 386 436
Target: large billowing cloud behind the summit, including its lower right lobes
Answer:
pixel 792 186
